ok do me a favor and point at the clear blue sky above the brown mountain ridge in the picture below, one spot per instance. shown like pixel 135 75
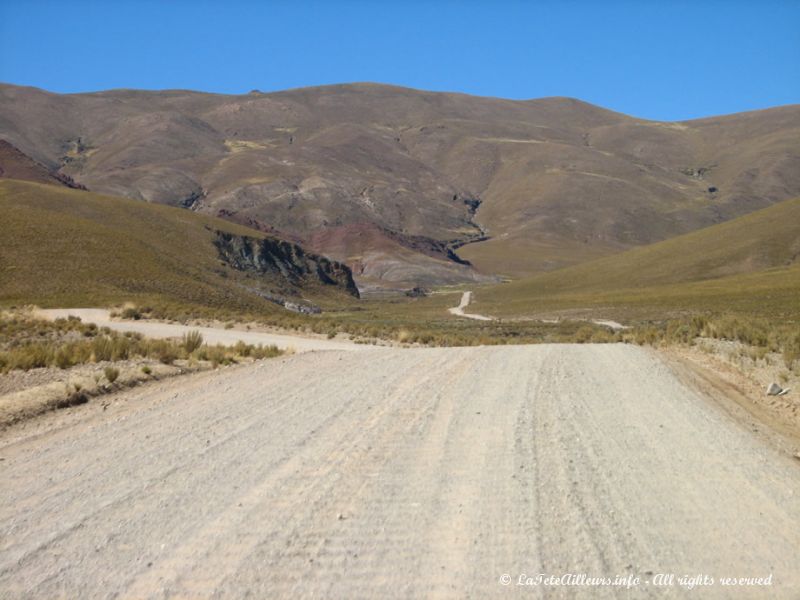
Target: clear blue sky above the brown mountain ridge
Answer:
pixel 655 59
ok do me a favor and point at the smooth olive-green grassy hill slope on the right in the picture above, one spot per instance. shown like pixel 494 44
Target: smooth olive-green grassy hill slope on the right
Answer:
pixel 750 264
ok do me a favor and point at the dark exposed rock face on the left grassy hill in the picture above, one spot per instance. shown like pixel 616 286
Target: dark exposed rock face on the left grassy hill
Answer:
pixel 270 255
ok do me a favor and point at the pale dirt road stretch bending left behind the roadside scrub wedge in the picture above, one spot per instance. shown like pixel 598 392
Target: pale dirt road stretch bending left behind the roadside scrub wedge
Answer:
pixel 211 335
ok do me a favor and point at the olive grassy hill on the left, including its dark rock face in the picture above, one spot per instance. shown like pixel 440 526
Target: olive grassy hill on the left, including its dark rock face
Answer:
pixel 63 247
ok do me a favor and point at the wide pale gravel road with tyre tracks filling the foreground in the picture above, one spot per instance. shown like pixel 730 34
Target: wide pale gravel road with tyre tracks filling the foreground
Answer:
pixel 398 473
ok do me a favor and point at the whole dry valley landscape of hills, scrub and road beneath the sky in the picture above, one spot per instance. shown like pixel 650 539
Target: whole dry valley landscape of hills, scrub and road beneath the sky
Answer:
pixel 438 343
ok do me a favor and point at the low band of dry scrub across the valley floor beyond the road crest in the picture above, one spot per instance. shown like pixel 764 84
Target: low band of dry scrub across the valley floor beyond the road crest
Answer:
pixel 425 322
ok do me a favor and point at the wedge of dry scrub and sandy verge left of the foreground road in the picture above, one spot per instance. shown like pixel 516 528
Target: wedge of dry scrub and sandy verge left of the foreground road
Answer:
pixel 46 365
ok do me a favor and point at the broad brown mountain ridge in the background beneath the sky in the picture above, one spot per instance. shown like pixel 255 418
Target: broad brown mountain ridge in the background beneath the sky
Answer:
pixel 392 179
